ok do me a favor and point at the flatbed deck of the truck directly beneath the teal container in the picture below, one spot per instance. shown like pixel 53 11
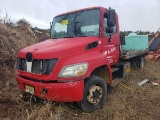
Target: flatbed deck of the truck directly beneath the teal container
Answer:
pixel 131 54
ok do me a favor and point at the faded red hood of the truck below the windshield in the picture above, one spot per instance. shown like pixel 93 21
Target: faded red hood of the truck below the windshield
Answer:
pixel 55 48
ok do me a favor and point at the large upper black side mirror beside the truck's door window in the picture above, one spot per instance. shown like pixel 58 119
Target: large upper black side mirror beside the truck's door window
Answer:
pixel 111 17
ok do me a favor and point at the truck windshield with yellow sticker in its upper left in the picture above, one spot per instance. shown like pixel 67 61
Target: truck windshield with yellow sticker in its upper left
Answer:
pixel 77 24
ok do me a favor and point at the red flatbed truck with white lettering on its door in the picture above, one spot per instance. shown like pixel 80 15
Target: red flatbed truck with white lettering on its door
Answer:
pixel 80 60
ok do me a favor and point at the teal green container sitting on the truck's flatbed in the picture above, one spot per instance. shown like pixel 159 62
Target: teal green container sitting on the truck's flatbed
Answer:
pixel 135 42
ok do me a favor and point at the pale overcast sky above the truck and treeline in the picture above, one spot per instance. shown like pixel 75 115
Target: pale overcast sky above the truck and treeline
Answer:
pixel 133 14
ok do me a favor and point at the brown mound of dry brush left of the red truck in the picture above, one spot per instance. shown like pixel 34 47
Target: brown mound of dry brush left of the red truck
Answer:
pixel 12 39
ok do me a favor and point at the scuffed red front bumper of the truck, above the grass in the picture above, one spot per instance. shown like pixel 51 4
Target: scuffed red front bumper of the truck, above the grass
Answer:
pixel 63 92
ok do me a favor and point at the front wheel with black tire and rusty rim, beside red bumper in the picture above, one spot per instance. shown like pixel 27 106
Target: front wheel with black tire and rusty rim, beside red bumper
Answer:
pixel 95 94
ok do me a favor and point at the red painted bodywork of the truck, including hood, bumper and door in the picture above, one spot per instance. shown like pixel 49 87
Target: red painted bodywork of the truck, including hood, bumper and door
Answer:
pixel 70 51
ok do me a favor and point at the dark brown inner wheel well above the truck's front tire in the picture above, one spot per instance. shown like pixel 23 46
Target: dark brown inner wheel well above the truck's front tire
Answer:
pixel 102 72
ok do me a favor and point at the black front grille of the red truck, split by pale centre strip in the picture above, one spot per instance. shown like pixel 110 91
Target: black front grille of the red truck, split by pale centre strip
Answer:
pixel 38 66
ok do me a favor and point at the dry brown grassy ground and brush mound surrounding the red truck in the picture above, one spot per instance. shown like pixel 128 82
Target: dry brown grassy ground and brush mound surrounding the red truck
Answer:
pixel 127 101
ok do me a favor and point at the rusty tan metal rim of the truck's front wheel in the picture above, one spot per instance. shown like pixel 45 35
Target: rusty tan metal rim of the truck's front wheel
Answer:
pixel 94 94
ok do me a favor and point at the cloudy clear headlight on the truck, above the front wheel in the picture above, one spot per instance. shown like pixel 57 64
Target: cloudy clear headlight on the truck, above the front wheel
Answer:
pixel 74 70
